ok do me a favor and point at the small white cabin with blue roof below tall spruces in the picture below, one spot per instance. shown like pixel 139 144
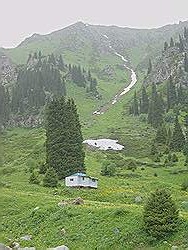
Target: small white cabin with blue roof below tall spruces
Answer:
pixel 81 180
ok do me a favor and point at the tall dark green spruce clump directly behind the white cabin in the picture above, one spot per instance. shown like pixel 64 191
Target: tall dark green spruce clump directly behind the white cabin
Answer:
pixel 64 148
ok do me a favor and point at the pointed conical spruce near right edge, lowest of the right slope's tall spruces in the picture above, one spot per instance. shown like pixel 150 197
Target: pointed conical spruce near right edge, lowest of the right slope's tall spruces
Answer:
pixel 178 140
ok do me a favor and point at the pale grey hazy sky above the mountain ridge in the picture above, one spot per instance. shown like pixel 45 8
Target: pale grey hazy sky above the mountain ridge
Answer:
pixel 21 18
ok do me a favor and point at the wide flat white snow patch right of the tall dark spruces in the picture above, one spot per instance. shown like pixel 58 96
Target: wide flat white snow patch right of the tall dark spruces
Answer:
pixel 104 144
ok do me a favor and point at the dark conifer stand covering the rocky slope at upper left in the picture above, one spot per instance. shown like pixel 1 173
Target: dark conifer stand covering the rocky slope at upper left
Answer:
pixel 41 79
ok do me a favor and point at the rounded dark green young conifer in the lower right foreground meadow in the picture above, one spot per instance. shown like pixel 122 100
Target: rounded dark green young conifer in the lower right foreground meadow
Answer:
pixel 160 215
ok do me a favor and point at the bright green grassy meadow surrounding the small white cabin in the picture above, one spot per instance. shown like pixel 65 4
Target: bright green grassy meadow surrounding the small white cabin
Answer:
pixel 110 217
